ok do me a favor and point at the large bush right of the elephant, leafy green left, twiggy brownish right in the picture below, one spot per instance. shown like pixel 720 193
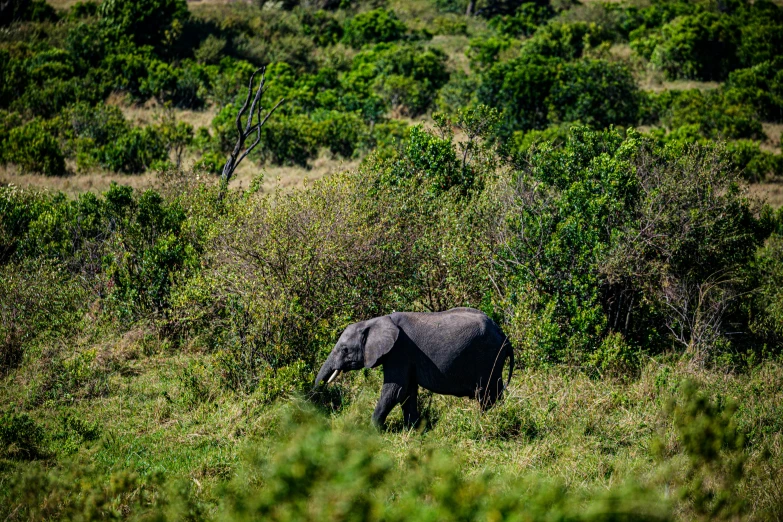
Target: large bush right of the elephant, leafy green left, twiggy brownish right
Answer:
pixel 591 270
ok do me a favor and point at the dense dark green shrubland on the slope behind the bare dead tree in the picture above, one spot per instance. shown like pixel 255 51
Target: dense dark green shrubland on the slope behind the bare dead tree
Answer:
pixel 351 70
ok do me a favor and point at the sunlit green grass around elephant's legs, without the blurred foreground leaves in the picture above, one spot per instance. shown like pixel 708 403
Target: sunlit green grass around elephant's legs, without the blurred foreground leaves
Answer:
pixel 588 435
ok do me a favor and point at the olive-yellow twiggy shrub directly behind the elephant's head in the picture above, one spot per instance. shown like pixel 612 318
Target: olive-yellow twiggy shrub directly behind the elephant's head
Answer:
pixel 312 260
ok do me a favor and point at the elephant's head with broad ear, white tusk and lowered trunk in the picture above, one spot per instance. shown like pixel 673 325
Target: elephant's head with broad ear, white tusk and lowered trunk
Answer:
pixel 361 345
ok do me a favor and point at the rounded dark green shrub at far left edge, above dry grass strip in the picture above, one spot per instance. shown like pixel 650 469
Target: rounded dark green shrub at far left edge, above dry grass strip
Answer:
pixel 34 148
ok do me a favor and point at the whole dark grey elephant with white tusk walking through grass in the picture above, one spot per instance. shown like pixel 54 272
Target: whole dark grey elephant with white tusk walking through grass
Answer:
pixel 458 352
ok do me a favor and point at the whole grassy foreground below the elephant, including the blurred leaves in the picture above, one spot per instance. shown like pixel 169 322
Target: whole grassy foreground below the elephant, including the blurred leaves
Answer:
pixel 159 438
